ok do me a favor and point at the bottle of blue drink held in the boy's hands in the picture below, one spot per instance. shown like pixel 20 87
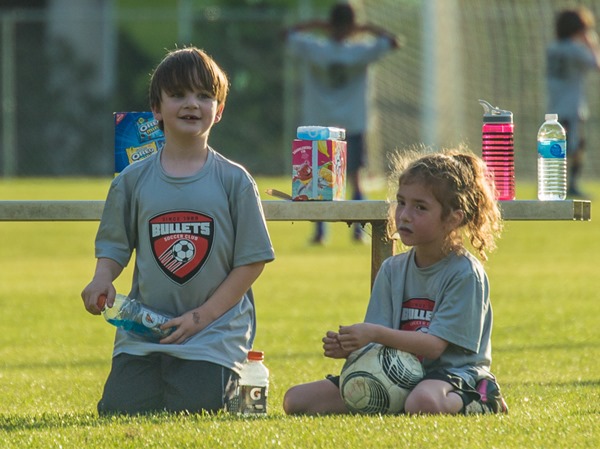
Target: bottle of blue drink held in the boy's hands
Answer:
pixel 131 315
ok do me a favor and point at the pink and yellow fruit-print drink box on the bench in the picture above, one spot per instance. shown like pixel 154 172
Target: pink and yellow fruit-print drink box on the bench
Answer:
pixel 318 170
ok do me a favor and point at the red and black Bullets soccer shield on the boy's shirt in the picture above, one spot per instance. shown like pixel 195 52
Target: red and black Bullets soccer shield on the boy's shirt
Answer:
pixel 181 242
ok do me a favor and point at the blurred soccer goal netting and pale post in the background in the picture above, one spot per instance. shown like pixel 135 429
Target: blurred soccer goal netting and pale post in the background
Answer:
pixel 458 51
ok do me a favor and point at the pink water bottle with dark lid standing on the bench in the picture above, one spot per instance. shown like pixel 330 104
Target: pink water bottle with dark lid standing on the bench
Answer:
pixel 497 149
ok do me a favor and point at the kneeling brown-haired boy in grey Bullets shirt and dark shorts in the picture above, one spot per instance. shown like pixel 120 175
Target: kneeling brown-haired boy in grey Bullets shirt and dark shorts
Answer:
pixel 187 193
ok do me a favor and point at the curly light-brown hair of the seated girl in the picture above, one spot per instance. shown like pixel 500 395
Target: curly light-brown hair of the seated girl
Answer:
pixel 458 180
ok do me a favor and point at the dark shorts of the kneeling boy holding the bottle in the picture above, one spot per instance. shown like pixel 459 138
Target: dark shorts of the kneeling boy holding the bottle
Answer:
pixel 159 382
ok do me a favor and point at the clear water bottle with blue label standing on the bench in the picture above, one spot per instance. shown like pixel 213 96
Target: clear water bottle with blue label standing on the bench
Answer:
pixel 552 160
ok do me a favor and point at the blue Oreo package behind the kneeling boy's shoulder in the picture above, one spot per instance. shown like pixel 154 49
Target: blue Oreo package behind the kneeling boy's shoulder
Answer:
pixel 137 136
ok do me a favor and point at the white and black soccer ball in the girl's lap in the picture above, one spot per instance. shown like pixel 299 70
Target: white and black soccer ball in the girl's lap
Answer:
pixel 377 379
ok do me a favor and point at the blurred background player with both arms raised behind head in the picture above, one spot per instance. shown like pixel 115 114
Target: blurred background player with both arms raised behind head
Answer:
pixel 335 56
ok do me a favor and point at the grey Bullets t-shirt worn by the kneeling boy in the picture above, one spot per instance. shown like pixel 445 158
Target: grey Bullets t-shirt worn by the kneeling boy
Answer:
pixel 188 234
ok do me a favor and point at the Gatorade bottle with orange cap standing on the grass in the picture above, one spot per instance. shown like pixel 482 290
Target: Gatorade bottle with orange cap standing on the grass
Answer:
pixel 253 387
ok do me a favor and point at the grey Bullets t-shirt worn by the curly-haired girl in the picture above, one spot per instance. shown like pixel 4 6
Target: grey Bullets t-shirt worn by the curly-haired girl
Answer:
pixel 449 299
